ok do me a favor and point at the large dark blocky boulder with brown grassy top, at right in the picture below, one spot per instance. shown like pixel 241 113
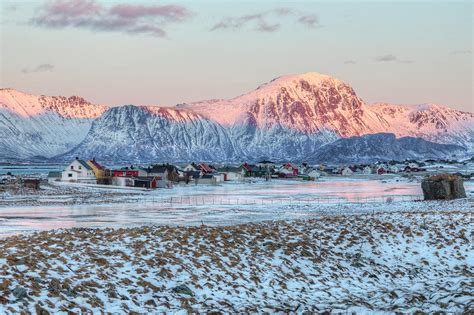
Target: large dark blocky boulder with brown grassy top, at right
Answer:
pixel 443 187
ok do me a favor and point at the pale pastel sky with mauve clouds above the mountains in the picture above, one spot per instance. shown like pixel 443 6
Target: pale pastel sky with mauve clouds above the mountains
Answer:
pixel 168 52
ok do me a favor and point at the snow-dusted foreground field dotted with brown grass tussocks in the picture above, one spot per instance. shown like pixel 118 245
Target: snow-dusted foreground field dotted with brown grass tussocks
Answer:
pixel 387 262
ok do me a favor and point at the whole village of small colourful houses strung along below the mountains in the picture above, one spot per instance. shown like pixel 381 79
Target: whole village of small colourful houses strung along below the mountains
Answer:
pixel 167 175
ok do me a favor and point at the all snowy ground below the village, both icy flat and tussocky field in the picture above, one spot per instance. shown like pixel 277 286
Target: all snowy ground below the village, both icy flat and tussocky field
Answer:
pixel 339 244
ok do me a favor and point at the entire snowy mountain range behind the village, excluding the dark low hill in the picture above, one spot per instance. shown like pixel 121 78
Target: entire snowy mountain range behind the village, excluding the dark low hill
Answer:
pixel 289 118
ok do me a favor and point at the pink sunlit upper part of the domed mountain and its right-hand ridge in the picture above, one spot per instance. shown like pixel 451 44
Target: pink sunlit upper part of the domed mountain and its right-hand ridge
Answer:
pixel 312 103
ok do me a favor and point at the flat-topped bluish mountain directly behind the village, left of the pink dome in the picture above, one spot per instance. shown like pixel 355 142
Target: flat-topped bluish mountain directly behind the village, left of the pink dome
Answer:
pixel 141 134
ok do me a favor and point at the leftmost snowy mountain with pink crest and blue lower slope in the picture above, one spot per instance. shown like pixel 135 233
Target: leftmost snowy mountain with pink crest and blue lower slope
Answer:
pixel 38 125
